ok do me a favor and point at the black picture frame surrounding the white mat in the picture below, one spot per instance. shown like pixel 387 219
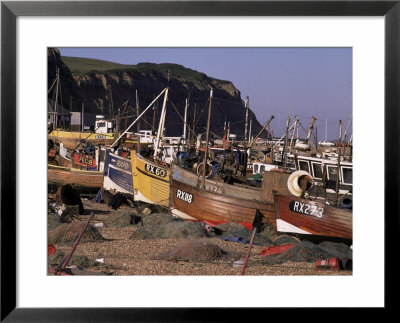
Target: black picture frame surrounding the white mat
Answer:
pixel 10 10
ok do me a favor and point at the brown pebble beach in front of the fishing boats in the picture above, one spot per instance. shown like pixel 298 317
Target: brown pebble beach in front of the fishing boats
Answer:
pixel 120 248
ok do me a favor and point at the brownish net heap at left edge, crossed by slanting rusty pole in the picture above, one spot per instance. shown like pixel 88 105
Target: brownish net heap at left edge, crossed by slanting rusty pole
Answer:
pixel 65 233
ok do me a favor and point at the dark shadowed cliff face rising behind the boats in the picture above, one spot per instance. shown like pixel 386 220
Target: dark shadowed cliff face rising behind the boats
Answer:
pixel 105 88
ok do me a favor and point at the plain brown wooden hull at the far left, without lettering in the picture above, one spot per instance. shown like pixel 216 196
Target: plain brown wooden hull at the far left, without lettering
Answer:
pixel 79 178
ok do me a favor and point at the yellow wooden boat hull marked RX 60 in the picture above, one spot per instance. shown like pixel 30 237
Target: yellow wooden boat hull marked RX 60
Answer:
pixel 150 179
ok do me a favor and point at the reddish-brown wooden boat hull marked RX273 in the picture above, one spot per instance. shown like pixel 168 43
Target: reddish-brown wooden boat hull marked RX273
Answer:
pixel 297 215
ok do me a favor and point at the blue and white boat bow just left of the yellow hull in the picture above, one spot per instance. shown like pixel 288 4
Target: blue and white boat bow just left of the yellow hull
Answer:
pixel 118 173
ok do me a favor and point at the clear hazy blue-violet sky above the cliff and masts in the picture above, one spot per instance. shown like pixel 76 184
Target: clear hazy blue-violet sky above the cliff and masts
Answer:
pixel 284 82
